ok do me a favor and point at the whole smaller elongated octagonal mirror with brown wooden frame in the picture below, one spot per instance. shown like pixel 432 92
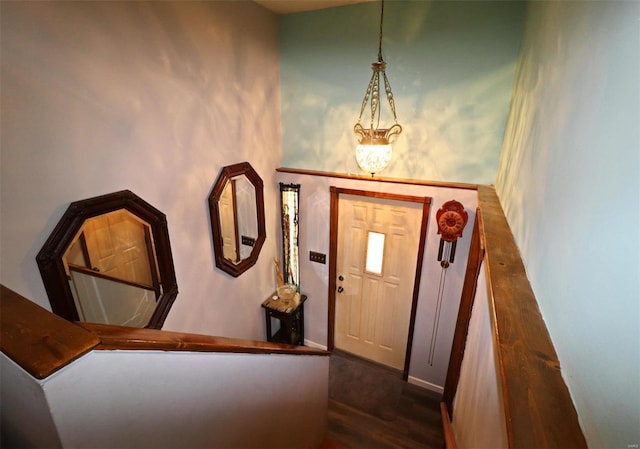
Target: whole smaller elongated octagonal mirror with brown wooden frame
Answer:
pixel 236 205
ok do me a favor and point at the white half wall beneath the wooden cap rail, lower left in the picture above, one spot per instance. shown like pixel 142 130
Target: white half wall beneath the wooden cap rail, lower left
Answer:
pixel 157 399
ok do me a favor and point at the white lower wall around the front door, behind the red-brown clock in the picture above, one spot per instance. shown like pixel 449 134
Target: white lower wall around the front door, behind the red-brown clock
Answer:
pixel 314 277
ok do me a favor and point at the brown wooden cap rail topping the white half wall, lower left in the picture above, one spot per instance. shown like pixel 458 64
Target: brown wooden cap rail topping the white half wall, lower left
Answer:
pixel 42 343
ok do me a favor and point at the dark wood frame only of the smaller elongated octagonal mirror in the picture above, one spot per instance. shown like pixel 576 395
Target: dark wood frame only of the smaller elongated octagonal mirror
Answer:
pixel 226 174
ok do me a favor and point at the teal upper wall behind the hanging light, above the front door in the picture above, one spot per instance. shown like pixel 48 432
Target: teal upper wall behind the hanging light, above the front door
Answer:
pixel 451 68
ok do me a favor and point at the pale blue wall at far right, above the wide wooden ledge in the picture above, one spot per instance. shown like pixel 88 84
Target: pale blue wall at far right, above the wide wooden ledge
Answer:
pixel 569 183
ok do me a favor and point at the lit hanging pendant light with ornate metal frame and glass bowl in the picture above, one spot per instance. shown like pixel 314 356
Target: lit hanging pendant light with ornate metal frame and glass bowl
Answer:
pixel 373 152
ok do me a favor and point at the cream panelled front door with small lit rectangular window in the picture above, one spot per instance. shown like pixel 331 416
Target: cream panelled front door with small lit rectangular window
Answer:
pixel 377 253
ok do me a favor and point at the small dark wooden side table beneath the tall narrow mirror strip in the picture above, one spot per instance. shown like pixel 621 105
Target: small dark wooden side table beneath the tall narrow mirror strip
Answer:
pixel 291 316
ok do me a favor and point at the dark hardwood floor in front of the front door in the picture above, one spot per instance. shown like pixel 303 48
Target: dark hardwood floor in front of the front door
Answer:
pixel 371 407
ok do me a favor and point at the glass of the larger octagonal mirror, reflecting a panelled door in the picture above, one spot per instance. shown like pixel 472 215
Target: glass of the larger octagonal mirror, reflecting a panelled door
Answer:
pixel 112 268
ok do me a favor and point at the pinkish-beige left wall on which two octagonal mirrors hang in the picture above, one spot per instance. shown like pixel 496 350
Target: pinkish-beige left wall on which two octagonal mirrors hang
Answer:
pixel 154 97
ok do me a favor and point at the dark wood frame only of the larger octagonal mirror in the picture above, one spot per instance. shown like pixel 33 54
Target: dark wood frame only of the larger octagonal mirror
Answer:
pixel 50 257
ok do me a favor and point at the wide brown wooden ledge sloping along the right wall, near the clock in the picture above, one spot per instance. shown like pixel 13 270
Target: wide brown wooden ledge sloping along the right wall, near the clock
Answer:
pixel 539 410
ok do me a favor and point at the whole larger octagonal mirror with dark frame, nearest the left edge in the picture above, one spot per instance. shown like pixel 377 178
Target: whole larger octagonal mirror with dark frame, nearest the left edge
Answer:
pixel 109 261
